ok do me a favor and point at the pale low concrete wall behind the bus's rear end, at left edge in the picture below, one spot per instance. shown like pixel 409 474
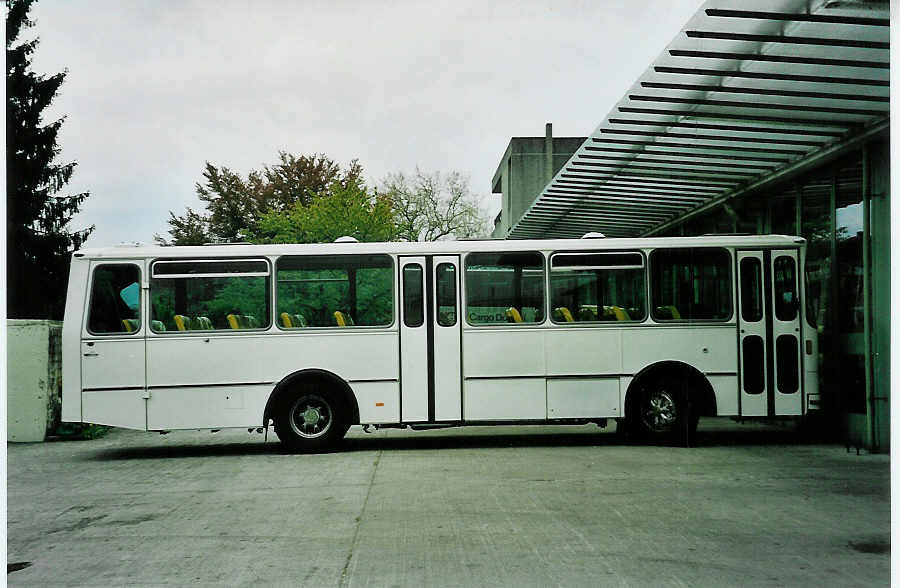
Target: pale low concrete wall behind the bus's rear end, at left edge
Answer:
pixel 34 382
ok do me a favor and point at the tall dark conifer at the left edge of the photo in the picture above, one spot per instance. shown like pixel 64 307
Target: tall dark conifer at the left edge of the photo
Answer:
pixel 39 240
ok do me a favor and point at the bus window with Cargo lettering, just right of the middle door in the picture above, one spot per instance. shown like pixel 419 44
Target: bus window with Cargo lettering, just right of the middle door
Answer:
pixel 504 288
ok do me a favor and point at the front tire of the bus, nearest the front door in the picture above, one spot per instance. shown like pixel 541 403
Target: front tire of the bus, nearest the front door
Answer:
pixel 662 413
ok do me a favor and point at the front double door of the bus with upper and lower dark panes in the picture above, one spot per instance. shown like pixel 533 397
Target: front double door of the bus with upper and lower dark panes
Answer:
pixel 769 333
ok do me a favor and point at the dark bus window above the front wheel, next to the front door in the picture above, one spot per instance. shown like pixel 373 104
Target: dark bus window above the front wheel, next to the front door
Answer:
pixel 690 284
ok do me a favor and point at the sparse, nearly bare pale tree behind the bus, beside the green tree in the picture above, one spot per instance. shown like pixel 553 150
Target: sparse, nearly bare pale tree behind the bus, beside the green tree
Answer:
pixel 433 206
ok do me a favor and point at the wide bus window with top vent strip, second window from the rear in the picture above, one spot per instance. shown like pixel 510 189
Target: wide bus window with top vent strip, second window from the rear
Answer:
pixel 216 332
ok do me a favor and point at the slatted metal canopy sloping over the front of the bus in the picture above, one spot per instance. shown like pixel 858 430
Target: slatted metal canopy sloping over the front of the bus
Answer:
pixel 739 99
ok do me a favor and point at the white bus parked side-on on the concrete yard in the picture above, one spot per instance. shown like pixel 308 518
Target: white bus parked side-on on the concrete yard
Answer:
pixel 651 332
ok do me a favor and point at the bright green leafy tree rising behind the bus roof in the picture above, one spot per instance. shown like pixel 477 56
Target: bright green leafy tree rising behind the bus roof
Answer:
pixel 342 210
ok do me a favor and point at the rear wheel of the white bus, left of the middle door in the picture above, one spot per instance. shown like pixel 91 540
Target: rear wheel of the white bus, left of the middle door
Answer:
pixel 310 422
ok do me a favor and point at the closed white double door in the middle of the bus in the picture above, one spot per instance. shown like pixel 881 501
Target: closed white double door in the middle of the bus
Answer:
pixel 430 384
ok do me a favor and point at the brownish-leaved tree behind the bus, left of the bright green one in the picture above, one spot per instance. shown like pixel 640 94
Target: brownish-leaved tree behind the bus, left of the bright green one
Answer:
pixel 234 204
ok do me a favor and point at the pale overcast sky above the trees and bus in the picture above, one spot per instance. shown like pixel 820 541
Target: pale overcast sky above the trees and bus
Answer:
pixel 156 89
